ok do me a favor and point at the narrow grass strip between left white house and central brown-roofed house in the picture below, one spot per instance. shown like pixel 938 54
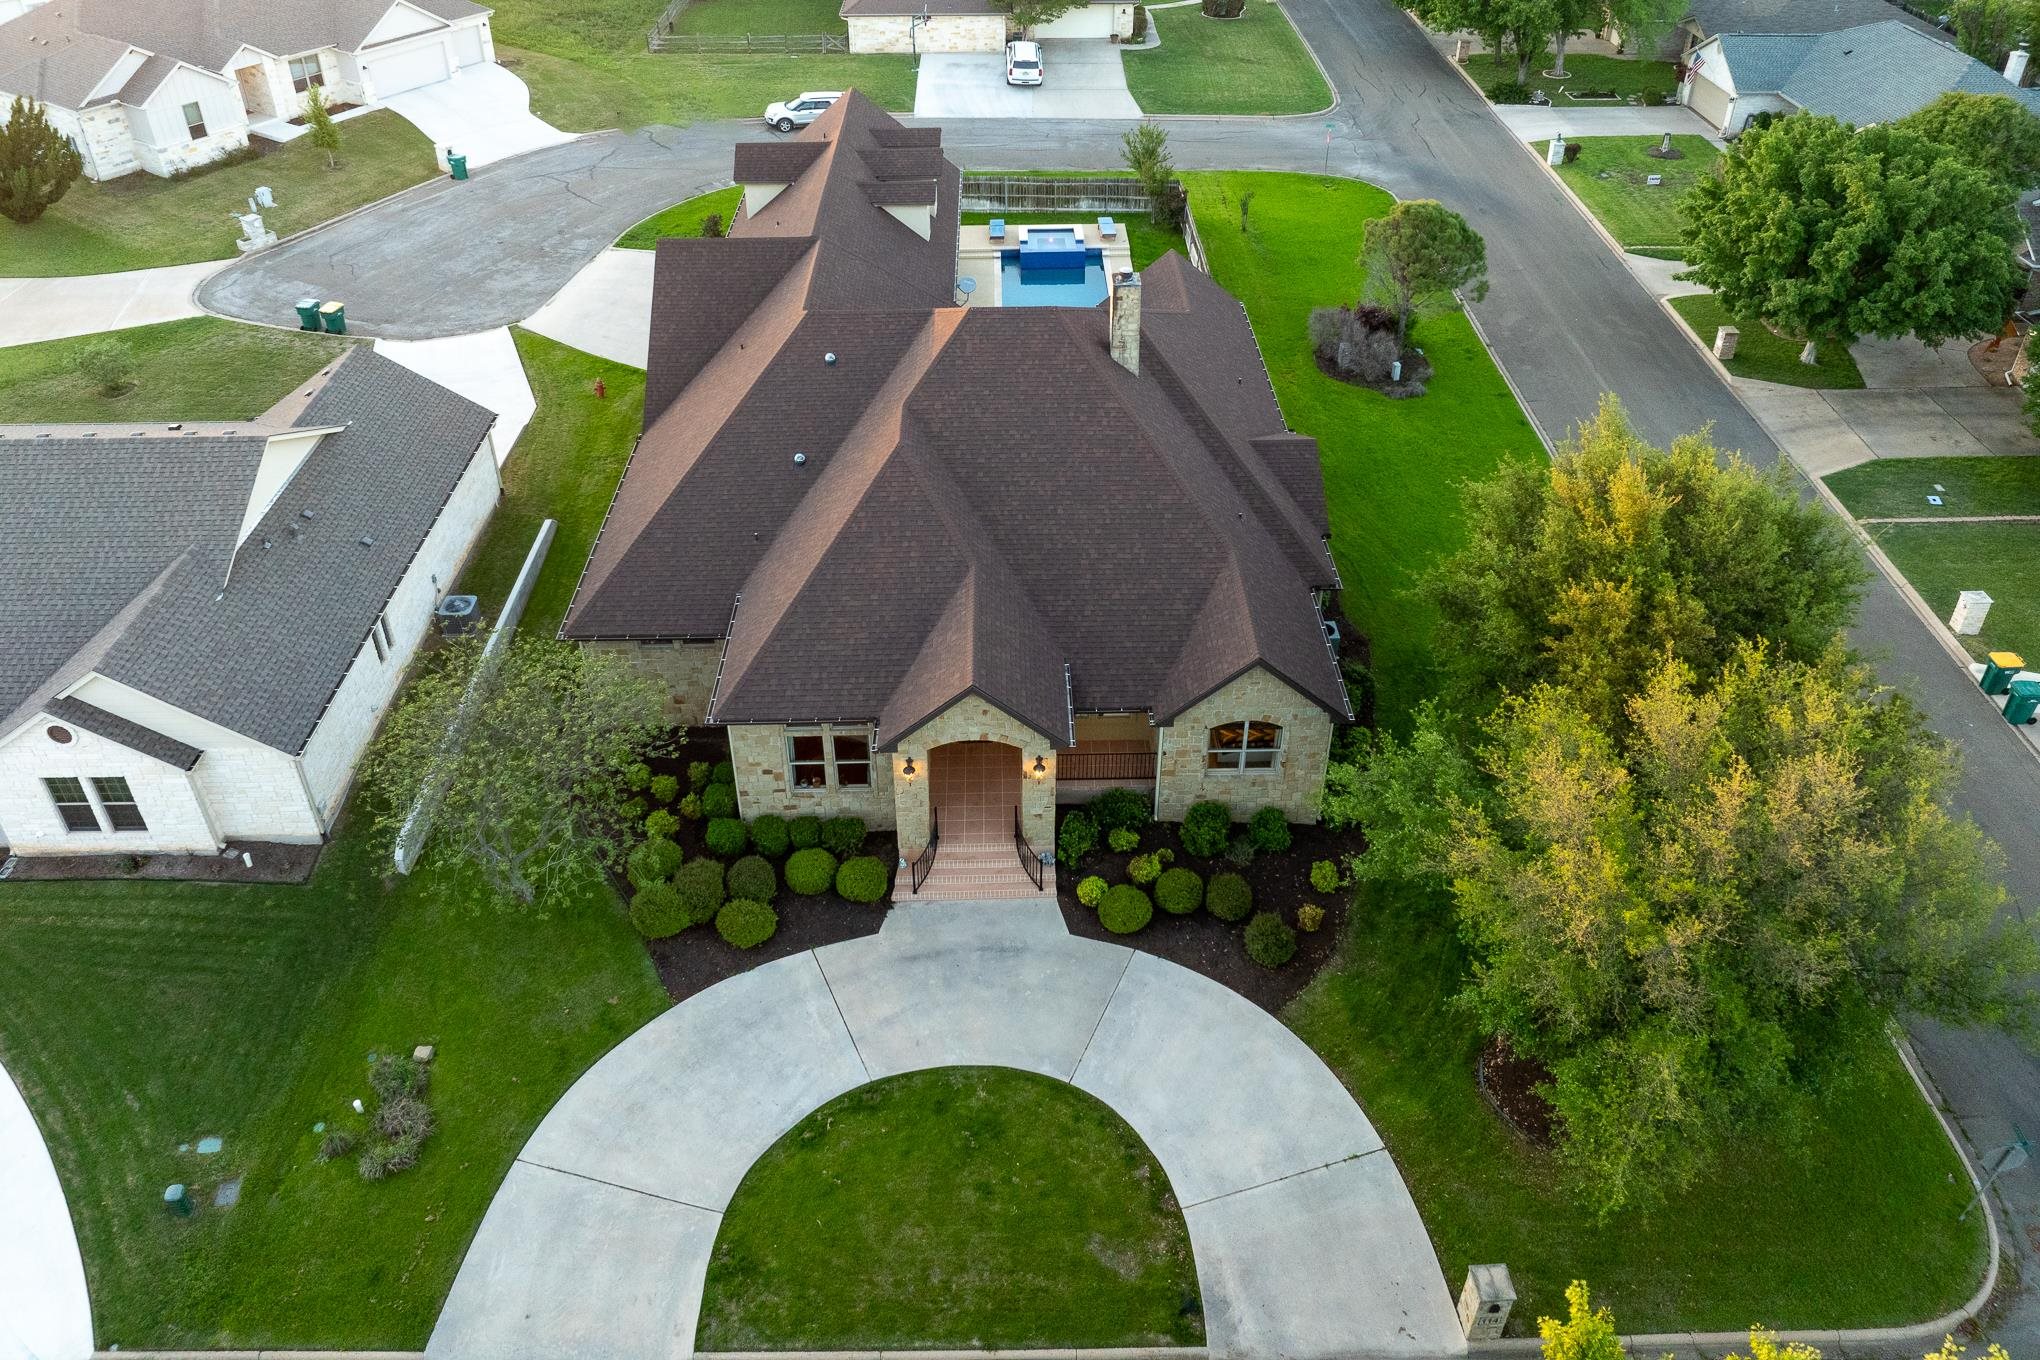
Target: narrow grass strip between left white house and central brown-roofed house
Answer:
pixel 566 468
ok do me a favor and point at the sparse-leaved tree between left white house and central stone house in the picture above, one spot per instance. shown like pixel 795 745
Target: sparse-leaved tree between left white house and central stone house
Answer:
pixel 521 762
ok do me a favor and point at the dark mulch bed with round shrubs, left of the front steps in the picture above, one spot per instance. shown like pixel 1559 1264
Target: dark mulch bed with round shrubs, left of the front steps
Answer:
pixel 699 957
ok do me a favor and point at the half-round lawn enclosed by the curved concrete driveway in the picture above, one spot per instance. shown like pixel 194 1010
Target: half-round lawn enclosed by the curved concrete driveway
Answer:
pixel 958 1208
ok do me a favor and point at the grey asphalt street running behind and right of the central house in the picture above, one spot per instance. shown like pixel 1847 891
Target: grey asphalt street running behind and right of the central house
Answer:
pixel 1564 317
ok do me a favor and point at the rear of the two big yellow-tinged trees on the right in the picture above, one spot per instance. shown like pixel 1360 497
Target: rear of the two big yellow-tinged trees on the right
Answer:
pixel 1590 570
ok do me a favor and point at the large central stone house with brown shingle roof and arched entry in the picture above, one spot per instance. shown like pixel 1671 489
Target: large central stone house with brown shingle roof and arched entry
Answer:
pixel 943 566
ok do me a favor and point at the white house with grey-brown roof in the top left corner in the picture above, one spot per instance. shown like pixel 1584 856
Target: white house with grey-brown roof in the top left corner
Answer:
pixel 172 85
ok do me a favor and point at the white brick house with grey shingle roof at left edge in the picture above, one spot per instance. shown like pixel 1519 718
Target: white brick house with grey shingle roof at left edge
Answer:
pixel 207 621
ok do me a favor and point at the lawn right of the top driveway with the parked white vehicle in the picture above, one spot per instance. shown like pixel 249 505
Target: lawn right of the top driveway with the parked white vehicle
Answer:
pixel 1256 64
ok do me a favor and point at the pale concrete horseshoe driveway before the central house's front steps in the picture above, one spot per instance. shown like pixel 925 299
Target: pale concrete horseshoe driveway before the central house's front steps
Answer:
pixel 1305 1237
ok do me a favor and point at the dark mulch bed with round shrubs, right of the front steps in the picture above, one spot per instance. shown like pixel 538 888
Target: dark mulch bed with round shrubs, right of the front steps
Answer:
pixel 1213 947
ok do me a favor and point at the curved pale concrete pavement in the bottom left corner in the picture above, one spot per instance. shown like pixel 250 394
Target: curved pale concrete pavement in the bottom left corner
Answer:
pixel 44 1306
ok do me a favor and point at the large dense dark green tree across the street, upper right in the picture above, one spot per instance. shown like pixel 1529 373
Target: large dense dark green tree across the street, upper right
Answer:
pixel 1827 236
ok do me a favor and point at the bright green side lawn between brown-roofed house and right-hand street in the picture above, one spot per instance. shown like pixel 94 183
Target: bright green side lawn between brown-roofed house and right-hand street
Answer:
pixel 1392 470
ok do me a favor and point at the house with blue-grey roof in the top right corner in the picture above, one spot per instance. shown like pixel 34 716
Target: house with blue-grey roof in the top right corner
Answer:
pixel 1861 76
